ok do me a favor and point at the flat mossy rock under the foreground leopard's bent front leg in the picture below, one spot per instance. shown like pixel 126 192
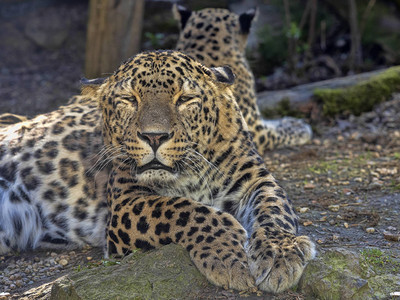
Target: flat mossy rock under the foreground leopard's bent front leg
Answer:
pixel 167 273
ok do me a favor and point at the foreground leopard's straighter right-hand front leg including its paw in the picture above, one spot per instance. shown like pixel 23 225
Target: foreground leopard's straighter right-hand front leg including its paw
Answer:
pixel 277 257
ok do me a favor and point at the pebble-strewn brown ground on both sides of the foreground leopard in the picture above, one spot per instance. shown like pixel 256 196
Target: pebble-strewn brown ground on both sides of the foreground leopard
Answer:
pixel 345 186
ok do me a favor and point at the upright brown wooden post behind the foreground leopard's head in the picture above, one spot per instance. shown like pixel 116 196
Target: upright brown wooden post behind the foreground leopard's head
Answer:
pixel 113 35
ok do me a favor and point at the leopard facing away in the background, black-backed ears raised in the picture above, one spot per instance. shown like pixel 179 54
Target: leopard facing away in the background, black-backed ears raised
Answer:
pixel 218 37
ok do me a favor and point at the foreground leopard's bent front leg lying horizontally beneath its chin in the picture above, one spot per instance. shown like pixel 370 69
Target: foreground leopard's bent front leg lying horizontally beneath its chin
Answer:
pixel 214 239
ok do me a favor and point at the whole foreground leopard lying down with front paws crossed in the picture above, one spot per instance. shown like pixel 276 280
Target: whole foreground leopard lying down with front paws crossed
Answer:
pixel 183 169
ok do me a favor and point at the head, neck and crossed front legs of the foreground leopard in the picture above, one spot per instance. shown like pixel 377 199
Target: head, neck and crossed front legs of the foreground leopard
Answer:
pixel 185 171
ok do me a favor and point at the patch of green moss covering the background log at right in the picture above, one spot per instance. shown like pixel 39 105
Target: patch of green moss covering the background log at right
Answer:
pixel 361 97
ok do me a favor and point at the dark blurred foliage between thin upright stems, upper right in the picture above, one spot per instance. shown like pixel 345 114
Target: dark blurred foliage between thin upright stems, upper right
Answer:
pixel 380 34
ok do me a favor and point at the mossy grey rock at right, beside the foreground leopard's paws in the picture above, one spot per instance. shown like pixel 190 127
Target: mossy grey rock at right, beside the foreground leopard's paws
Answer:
pixel 340 274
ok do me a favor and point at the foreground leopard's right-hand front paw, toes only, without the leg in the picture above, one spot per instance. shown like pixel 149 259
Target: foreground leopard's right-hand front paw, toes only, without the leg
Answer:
pixel 278 259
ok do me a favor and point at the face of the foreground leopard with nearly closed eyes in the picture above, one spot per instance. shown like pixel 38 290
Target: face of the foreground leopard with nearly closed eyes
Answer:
pixel 162 112
